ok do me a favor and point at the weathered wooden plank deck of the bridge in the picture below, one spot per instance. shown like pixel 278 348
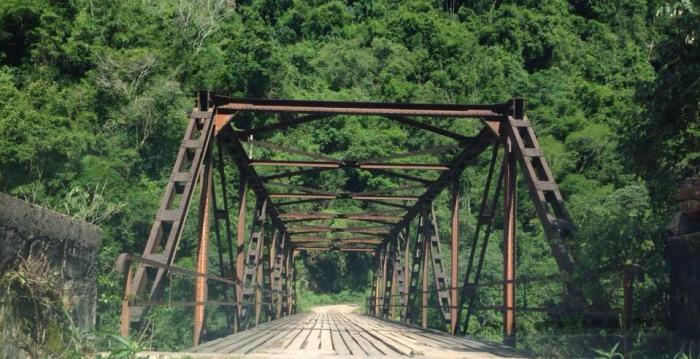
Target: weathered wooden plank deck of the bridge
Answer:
pixel 337 334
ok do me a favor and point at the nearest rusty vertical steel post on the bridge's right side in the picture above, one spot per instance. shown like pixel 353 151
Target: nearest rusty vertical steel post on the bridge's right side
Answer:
pixel 509 245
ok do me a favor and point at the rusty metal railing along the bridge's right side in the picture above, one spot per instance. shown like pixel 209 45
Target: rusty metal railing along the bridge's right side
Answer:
pixel 376 305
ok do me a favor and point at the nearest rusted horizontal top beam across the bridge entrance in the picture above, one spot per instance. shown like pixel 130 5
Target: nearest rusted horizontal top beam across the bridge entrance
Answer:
pixel 359 108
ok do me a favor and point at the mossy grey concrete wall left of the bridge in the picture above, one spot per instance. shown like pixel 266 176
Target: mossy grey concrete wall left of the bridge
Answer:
pixel 69 245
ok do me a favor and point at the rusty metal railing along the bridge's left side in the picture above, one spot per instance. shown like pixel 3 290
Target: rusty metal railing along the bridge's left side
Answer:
pixel 281 302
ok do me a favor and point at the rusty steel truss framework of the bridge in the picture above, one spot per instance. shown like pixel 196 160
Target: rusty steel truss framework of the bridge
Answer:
pixel 256 271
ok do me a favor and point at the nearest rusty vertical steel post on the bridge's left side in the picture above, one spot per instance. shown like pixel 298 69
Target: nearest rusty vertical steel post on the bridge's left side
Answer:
pixel 202 249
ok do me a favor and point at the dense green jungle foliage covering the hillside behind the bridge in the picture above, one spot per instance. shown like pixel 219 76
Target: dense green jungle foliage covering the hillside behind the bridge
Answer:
pixel 96 96
